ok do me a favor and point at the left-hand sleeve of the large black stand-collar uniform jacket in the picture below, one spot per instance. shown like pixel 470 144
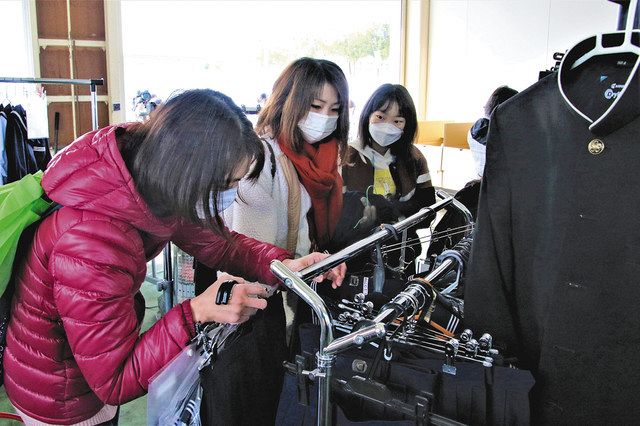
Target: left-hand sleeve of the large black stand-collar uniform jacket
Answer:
pixel 489 291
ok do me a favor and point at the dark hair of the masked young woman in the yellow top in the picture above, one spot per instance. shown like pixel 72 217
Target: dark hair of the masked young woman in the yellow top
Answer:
pixel 385 96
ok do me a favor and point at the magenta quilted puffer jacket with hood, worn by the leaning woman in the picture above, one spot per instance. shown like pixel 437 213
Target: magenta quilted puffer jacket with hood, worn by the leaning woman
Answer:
pixel 73 342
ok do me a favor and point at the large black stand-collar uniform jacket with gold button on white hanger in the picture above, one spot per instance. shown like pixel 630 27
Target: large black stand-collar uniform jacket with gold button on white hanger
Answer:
pixel 554 269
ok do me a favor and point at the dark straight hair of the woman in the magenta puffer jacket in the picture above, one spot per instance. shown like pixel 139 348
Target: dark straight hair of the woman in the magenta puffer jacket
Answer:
pixel 188 152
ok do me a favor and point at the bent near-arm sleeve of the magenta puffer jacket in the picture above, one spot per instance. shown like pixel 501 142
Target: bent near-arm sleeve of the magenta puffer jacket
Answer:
pixel 97 267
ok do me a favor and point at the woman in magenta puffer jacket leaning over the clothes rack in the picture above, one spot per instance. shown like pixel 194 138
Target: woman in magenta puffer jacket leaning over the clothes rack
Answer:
pixel 74 352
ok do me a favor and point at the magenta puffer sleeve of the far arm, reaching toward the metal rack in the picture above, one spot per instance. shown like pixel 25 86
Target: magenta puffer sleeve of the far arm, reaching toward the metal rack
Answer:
pixel 238 255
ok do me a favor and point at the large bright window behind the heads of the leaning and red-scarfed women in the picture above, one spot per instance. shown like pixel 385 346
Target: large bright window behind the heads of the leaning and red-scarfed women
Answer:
pixel 240 47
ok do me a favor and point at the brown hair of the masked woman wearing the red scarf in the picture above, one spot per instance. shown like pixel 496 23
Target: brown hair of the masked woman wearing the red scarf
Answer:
pixel 290 101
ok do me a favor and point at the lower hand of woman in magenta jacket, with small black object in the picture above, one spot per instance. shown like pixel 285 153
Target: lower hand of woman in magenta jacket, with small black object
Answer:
pixel 246 298
